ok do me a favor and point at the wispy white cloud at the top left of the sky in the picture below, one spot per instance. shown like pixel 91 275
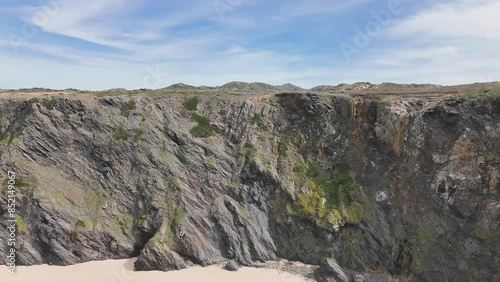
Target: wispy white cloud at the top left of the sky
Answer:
pixel 106 22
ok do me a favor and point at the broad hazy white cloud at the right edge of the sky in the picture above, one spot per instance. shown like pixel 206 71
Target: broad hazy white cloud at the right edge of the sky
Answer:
pixel 452 43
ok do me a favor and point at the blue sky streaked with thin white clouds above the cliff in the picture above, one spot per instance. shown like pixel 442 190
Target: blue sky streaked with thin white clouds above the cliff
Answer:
pixel 102 44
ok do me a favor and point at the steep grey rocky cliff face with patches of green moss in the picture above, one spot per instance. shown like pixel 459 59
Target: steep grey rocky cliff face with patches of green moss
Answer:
pixel 402 186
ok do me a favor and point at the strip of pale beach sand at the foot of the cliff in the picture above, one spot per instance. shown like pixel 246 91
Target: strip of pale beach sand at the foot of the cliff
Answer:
pixel 121 271
